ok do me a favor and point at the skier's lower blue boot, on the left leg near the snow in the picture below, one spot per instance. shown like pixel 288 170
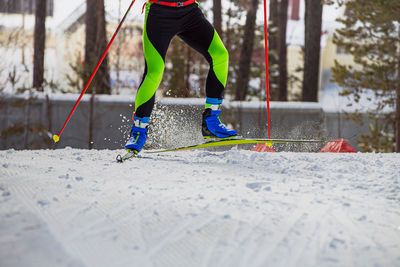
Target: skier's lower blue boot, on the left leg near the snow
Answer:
pixel 138 135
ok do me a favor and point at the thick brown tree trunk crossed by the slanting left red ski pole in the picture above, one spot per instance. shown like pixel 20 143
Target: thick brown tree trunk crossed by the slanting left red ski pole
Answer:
pixel 96 43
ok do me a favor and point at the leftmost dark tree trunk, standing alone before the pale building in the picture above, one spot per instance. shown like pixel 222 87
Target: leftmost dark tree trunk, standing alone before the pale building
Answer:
pixel 39 44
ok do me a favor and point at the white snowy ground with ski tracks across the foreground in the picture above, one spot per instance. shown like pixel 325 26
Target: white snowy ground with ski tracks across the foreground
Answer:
pixel 236 208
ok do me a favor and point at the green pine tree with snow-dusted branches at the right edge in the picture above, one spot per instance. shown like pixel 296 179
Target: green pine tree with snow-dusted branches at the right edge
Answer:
pixel 371 34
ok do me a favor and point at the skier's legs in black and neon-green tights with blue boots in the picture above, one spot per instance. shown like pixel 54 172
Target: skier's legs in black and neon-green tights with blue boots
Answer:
pixel 161 24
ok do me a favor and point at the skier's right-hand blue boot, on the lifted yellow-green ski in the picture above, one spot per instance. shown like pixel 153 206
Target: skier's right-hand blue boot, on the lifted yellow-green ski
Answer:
pixel 212 127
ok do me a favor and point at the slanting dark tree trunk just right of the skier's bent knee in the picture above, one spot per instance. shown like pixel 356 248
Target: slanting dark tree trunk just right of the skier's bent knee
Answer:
pixel 246 52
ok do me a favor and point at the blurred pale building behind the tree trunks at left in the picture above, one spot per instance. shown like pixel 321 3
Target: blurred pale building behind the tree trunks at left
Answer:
pixel 65 41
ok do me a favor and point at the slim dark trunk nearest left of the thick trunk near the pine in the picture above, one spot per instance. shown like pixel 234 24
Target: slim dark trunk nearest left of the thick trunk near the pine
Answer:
pixel 282 50
